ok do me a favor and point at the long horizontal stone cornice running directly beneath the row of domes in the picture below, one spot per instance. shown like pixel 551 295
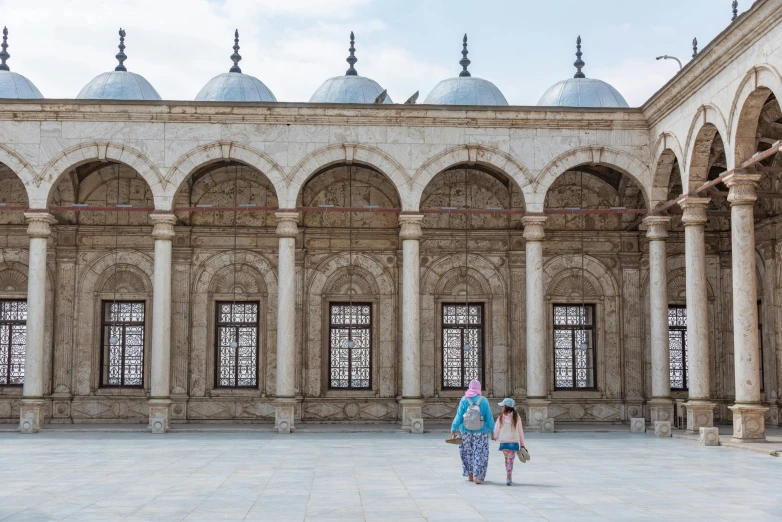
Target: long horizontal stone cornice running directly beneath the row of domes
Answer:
pixel 518 117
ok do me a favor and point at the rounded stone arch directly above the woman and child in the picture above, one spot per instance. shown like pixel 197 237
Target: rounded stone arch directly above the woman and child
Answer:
pixel 467 155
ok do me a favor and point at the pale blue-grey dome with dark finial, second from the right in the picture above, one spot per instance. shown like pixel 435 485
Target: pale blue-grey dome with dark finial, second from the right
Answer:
pixel 465 89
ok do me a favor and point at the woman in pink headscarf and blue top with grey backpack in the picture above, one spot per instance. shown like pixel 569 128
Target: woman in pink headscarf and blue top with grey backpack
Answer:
pixel 474 420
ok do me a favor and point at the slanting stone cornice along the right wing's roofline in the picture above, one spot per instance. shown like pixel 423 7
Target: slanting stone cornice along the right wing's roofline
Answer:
pixel 736 38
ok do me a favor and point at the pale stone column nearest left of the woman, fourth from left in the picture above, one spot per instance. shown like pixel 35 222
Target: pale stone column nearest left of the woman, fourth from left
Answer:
pixel 411 402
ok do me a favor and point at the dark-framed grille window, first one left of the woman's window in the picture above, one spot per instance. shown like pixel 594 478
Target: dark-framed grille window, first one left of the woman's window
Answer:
pixel 350 368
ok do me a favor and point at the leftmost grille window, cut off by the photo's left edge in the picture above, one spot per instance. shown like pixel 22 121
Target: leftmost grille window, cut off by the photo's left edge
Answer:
pixel 13 341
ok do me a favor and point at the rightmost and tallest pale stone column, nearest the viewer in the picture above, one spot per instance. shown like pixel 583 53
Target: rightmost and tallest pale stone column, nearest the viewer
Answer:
pixel 748 413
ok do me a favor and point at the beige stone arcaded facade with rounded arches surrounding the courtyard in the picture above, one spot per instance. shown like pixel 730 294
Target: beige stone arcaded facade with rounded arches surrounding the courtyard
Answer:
pixel 176 158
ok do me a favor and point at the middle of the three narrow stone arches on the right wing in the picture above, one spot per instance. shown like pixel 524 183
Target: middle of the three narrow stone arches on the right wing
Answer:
pixel 708 121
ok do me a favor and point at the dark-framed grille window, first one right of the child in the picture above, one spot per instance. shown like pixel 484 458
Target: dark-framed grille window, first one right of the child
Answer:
pixel 574 347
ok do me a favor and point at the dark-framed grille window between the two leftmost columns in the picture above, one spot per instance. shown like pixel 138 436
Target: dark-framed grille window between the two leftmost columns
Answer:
pixel 123 344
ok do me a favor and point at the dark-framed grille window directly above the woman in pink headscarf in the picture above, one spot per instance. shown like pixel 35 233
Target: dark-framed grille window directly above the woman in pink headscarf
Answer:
pixel 462 345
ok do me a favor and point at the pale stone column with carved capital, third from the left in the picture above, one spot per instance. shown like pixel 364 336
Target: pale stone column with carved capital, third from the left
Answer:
pixel 285 402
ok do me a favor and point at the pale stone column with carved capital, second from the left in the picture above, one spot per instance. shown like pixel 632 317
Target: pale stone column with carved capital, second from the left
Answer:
pixel 159 399
